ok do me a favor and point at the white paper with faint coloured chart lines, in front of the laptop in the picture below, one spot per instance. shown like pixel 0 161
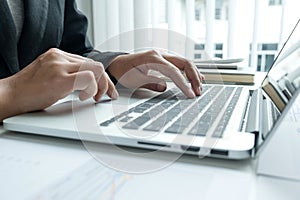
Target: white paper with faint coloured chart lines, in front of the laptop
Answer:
pixel 95 181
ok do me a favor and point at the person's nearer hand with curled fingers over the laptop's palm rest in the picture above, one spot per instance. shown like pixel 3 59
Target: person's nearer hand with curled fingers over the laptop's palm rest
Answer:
pixel 53 76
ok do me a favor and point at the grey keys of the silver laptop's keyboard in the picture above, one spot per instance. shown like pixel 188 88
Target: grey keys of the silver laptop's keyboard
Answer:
pixel 172 113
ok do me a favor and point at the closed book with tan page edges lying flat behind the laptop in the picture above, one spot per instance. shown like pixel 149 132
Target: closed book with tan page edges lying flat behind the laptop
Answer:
pixel 244 77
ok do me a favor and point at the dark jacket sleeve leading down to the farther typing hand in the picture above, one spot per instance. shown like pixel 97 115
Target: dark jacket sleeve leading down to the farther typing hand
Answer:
pixel 75 39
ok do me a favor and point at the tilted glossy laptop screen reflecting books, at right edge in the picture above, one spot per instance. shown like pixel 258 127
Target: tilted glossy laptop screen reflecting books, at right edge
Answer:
pixel 283 79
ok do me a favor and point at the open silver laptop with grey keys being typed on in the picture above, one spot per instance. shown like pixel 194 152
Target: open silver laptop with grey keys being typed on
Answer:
pixel 226 121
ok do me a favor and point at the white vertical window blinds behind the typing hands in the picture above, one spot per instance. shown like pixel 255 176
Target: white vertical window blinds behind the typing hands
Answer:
pixel 225 28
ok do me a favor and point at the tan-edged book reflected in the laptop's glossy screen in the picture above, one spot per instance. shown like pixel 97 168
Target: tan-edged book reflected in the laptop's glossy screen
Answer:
pixel 271 88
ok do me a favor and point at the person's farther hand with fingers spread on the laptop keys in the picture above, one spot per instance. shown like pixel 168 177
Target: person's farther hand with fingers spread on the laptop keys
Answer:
pixel 132 71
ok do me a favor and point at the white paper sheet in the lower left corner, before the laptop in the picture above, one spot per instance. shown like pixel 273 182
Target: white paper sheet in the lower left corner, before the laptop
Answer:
pixel 27 166
